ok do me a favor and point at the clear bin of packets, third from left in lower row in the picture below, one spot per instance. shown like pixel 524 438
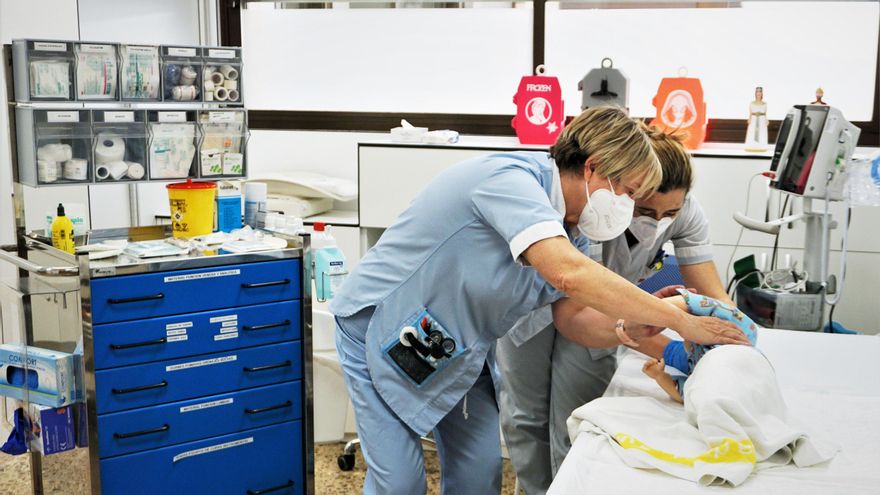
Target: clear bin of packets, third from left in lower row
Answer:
pixel 174 138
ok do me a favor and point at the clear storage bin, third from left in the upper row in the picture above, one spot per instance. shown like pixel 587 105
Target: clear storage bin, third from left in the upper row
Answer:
pixel 140 78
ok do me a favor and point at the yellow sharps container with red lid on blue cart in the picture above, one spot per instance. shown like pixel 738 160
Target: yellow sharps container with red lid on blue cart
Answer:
pixel 192 207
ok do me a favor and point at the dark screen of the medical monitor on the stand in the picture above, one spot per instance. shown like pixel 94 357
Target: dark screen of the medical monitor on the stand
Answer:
pixel 803 151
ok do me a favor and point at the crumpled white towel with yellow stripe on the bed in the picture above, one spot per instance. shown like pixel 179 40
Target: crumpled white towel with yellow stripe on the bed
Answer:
pixel 733 422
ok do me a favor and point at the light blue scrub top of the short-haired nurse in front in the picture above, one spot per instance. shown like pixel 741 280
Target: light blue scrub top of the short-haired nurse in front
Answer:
pixel 450 253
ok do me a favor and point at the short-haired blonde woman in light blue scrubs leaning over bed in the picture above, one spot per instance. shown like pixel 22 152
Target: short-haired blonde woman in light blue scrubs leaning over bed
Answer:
pixel 480 247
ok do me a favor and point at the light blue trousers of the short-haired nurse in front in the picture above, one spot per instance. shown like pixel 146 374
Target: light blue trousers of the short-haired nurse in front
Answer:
pixel 468 439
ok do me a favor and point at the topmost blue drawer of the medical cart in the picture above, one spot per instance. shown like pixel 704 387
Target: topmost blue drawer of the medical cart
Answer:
pixel 132 297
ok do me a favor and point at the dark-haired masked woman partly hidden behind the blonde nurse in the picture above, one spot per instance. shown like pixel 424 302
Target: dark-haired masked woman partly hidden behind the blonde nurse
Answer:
pixel 568 371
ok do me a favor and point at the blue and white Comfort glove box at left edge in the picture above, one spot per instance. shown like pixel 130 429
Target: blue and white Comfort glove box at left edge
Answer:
pixel 45 377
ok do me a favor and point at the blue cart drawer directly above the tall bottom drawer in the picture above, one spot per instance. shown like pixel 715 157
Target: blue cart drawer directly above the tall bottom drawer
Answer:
pixel 158 426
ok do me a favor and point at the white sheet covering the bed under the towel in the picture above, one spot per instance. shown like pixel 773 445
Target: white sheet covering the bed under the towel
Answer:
pixel 831 384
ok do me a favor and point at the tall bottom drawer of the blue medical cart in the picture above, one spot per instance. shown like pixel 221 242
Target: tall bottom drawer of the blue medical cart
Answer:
pixel 254 461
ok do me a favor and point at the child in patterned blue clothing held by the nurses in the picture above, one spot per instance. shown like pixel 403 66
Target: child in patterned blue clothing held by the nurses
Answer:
pixel 701 306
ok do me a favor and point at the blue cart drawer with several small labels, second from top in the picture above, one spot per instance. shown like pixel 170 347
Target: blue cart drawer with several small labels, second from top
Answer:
pixel 155 339
